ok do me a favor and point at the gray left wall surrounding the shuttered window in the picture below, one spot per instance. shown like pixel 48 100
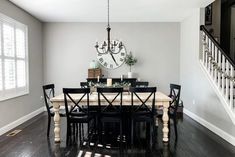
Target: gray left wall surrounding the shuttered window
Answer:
pixel 13 109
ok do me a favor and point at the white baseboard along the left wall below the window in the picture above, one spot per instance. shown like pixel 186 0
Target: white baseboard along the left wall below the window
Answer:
pixel 19 121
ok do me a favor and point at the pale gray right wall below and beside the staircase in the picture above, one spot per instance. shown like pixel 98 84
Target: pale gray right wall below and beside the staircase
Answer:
pixel 195 85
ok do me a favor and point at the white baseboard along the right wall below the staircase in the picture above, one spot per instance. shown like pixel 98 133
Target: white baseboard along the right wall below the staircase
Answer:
pixel 229 138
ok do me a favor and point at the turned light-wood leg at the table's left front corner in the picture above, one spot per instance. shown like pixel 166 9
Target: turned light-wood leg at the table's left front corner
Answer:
pixel 56 107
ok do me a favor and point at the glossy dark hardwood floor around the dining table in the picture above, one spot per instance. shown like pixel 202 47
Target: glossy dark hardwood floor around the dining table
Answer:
pixel 194 140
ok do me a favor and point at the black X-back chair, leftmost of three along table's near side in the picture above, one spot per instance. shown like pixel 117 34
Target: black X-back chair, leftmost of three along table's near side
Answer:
pixel 77 111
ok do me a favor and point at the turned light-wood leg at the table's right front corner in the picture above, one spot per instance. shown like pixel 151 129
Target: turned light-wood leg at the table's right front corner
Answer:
pixel 165 119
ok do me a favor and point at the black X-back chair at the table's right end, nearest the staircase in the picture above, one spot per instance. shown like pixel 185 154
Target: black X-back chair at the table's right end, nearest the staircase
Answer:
pixel 172 112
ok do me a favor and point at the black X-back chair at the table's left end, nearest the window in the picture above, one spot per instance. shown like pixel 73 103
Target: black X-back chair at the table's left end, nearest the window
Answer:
pixel 49 92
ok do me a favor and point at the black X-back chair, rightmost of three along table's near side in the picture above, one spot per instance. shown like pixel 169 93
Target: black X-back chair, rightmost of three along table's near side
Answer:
pixel 143 109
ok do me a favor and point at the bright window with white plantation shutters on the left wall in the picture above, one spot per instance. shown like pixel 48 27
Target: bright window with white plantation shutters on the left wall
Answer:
pixel 13 58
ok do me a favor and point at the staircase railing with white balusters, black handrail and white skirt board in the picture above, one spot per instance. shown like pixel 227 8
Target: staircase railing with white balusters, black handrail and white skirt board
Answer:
pixel 219 69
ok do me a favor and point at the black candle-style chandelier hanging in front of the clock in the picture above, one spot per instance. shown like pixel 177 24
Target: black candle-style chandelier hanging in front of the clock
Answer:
pixel 112 47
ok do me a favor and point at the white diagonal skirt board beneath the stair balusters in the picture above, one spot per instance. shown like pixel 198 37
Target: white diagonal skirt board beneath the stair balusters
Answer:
pixel 218 93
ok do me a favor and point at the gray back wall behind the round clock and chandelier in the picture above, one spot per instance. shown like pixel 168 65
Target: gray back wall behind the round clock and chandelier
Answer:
pixel 69 48
